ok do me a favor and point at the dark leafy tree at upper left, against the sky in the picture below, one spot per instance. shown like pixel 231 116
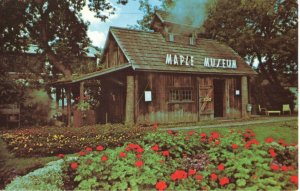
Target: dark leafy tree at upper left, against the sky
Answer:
pixel 56 26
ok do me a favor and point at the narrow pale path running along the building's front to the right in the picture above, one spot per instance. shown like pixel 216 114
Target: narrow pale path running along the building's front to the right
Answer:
pixel 236 124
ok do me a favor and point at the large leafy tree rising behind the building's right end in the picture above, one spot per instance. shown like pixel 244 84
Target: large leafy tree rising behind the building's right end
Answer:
pixel 263 31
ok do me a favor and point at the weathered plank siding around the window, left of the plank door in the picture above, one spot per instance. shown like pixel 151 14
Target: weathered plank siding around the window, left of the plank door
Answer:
pixel 160 109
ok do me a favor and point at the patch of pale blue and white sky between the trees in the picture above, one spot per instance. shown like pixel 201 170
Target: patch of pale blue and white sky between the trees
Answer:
pixel 125 15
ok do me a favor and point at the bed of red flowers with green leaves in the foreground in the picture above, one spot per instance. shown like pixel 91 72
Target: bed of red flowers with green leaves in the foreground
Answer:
pixel 187 161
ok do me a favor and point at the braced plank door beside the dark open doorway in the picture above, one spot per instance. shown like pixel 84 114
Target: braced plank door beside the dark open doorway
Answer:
pixel 206 100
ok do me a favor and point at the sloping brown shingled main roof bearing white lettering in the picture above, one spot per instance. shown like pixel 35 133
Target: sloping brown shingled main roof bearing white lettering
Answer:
pixel 146 51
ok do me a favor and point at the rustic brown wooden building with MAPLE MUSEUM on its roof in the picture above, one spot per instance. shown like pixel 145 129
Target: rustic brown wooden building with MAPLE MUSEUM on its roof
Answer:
pixel 169 75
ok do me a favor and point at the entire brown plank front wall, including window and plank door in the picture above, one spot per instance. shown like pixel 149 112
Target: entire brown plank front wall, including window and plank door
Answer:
pixel 184 97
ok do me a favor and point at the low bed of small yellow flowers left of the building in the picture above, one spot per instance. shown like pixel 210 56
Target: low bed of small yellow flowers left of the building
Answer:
pixel 48 141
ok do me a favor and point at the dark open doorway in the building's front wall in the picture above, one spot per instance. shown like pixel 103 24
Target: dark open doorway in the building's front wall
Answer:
pixel 218 97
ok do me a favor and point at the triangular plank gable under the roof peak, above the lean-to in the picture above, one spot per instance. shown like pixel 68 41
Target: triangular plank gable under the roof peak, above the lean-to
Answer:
pixel 113 55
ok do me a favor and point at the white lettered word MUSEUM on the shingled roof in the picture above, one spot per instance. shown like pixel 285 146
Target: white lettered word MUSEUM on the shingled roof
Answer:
pixel 219 63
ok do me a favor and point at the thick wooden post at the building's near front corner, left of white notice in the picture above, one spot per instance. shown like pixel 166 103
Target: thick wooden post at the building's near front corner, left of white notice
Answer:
pixel 129 112
